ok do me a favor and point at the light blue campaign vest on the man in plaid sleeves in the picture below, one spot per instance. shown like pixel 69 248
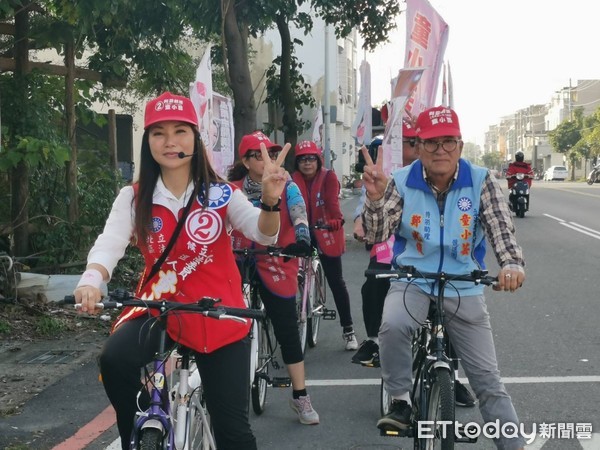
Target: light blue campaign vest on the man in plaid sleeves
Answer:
pixel 451 240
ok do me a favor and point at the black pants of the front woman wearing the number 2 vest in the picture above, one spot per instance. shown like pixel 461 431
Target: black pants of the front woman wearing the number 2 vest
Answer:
pixel 224 374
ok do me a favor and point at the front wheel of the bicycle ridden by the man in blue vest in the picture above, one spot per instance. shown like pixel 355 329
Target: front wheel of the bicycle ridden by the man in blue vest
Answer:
pixel 440 408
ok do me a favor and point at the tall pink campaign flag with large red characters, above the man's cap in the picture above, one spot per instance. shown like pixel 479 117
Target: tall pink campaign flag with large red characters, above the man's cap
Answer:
pixel 426 40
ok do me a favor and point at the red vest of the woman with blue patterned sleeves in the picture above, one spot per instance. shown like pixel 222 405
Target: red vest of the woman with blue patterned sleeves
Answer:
pixel 279 277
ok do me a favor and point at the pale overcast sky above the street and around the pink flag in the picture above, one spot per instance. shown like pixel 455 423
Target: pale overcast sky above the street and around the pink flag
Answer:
pixel 505 55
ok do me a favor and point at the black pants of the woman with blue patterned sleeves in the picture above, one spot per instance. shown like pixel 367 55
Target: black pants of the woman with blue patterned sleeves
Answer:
pixel 282 313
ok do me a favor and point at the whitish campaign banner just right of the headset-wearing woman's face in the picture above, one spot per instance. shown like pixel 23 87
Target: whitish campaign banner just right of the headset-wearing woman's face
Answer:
pixel 221 134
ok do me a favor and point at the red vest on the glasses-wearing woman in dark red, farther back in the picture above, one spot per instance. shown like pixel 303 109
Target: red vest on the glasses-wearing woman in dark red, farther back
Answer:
pixel 331 243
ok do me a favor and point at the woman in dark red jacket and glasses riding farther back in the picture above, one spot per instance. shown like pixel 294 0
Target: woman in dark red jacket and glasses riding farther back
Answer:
pixel 320 189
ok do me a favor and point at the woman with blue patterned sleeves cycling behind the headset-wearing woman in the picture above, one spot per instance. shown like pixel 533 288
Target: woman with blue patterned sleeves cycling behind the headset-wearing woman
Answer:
pixel 278 279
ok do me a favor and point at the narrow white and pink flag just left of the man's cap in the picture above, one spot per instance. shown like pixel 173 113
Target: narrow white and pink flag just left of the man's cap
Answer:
pixel 407 82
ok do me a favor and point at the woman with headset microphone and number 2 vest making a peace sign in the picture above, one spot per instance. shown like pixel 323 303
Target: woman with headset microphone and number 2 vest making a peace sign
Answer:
pixel 180 200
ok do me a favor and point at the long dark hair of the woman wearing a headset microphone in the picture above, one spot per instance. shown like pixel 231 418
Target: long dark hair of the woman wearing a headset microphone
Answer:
pixel 201 174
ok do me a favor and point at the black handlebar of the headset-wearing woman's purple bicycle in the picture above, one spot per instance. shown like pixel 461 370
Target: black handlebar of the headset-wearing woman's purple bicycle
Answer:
pixel 207 306
